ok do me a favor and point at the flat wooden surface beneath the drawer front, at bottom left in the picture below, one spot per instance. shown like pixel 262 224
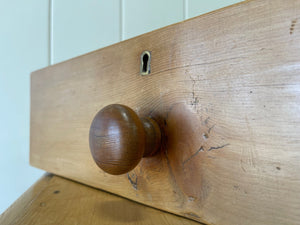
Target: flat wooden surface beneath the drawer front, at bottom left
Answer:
pixel 55 200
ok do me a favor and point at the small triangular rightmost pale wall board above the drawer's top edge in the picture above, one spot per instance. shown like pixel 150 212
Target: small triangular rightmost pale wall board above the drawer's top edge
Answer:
pixel 198 7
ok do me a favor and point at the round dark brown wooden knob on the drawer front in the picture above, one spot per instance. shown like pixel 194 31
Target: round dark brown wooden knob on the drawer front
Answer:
pixel 119 138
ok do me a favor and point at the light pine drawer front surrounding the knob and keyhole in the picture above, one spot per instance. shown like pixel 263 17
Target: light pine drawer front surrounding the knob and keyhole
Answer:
pixel 225 90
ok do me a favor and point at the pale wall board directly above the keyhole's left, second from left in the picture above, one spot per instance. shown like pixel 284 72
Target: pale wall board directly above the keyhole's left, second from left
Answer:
pixel 79 27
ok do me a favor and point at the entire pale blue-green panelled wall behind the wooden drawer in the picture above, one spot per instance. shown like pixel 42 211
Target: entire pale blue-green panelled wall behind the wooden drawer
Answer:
pixel 36 33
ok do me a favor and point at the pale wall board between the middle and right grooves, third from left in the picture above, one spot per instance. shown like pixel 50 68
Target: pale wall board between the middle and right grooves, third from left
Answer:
pixel 141 16
